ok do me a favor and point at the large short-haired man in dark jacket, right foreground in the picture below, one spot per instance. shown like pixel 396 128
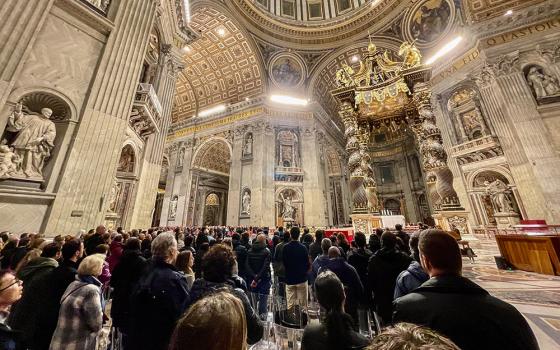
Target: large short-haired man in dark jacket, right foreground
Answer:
pixel 449 303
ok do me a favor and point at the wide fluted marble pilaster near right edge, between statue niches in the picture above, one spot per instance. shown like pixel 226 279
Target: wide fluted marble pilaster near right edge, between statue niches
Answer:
pixel 523 136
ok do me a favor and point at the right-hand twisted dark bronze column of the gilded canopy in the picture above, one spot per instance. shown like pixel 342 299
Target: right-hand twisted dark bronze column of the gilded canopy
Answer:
pixel 434 157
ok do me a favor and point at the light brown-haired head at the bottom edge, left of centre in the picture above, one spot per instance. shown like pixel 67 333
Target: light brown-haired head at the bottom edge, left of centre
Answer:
pixel 215 322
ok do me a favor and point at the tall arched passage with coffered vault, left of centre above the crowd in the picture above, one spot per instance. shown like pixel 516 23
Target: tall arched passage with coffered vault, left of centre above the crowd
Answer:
pixel 210 170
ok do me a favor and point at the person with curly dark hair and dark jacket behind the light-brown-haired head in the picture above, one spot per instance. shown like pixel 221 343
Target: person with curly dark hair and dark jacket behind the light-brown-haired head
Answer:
pixel 217 268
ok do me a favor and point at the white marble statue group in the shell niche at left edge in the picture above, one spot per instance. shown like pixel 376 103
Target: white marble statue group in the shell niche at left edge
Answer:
pixel 31 145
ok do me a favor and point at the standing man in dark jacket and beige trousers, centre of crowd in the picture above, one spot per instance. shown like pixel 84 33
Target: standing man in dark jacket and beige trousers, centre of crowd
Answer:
pixel 296 263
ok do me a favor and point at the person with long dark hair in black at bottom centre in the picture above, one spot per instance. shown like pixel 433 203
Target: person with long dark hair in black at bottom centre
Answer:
pixel 336 331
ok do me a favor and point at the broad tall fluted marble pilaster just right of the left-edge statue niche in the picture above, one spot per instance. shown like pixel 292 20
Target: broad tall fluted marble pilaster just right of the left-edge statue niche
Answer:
pixel 93 158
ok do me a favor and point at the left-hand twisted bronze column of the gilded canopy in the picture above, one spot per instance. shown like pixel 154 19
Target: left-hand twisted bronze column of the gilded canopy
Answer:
pixel 355 160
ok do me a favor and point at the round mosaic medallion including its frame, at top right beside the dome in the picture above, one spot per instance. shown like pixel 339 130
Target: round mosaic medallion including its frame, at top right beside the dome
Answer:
pixel 430 21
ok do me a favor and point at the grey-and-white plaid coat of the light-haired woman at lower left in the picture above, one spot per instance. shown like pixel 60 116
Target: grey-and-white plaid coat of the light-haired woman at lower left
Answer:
pixel 80 318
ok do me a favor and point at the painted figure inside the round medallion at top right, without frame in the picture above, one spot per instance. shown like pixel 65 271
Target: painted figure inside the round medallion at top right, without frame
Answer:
pixel 430 21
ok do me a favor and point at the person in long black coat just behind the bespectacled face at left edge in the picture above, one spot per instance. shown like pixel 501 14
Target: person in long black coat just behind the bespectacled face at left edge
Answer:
pixel 25 311
